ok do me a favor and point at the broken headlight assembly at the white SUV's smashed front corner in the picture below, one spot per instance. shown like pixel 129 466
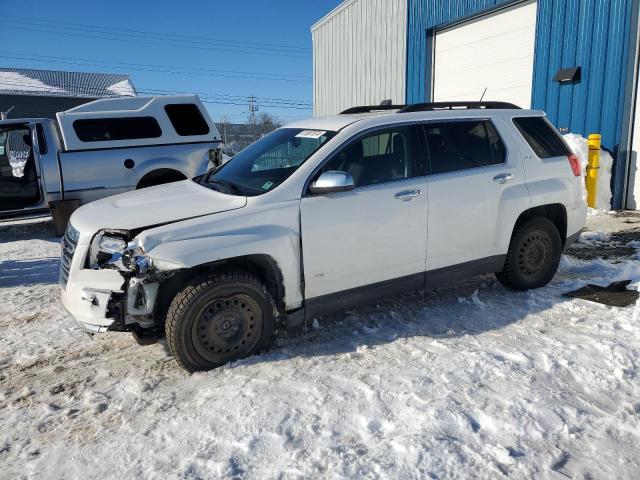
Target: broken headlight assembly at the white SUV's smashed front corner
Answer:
pixel 112 249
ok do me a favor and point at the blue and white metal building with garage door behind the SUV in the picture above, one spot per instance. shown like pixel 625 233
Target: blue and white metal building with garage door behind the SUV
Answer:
pixel 596 41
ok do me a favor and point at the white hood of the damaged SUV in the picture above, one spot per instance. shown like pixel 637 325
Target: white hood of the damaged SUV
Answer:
pixel 152 206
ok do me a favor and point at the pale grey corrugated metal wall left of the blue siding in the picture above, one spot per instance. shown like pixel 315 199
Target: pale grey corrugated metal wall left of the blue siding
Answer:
pixel 359 55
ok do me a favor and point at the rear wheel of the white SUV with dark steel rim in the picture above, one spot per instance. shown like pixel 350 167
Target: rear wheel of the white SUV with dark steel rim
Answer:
pixel 533 256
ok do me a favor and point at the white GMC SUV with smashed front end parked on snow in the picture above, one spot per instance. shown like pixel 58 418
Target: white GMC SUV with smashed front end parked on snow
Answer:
pixel 323 214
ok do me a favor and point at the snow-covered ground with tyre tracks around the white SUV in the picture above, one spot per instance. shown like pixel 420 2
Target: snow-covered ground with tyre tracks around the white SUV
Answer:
pixel 470 381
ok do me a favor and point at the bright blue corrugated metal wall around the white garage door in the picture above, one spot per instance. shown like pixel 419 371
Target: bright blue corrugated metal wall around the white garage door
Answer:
pixel 592 34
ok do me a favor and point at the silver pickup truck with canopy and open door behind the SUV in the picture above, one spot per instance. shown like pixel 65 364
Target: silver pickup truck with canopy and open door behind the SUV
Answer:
pixel 102 148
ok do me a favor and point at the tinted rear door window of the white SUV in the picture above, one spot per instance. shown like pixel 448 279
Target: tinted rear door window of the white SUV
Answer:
pixel 453 146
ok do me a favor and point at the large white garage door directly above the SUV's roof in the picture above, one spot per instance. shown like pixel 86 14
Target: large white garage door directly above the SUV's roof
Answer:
pixel 494 51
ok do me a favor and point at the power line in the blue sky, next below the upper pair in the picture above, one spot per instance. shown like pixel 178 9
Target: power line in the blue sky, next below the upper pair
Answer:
pixel 156 68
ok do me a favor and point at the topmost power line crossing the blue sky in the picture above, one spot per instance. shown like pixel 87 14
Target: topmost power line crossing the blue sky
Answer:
pixel 158 35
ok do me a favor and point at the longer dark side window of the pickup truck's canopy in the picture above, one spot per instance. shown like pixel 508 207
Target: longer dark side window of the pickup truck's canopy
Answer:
pixel 108 129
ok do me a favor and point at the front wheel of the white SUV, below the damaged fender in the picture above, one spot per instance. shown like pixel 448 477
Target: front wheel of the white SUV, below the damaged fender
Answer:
pixel 215 320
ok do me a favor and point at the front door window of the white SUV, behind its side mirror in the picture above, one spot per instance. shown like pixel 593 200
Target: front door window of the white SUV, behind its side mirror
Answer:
pixel 383 156
